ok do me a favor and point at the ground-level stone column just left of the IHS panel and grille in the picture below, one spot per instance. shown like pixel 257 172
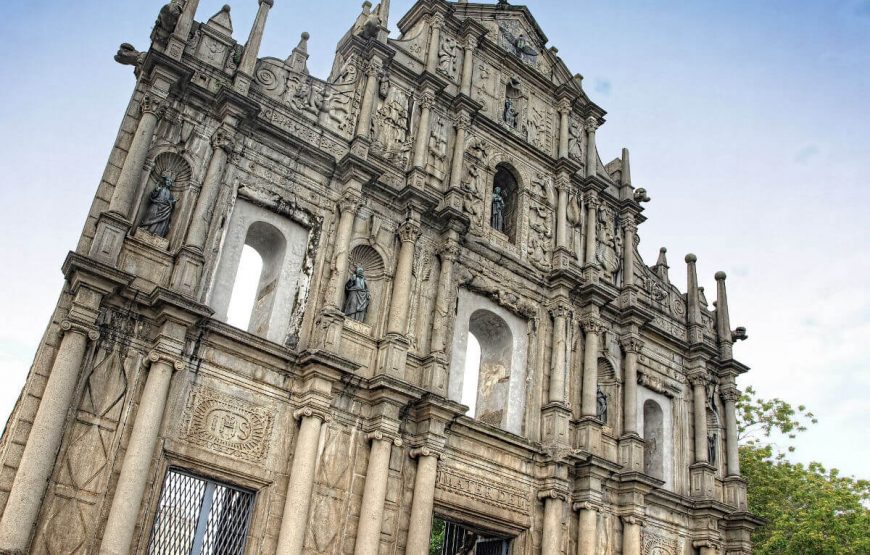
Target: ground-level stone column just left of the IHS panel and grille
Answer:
pixel 124 513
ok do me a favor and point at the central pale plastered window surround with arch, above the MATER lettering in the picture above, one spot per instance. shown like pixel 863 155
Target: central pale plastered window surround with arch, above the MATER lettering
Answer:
pixel 500 393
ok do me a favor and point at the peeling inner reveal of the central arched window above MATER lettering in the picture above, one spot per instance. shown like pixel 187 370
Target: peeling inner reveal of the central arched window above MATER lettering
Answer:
pixel 496 351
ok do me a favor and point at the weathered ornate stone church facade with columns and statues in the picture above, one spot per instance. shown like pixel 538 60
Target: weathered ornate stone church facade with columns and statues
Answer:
pixel 603 406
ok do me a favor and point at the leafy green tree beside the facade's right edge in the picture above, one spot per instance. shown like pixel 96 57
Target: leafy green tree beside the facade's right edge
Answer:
pixel 808 509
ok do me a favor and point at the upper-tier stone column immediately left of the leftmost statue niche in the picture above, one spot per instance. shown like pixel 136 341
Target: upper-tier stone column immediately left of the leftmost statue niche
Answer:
pixel 128 180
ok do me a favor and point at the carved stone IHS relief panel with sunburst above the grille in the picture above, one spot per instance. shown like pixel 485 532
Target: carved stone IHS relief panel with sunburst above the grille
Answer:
pixel 227 425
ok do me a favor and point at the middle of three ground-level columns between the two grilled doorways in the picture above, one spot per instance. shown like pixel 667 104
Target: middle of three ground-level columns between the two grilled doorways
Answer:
pixel 368 538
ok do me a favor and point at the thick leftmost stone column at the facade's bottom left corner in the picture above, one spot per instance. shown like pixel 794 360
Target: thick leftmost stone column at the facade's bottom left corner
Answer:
pixel 43 443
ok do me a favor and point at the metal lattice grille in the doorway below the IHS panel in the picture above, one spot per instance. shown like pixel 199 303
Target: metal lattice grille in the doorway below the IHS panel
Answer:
pixel 197 516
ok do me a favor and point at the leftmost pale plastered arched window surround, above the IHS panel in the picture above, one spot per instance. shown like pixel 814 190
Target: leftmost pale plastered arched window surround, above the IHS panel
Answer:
pixel 282 244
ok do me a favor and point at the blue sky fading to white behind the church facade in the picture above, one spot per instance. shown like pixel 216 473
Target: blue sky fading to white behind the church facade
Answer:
pixel 748 123
